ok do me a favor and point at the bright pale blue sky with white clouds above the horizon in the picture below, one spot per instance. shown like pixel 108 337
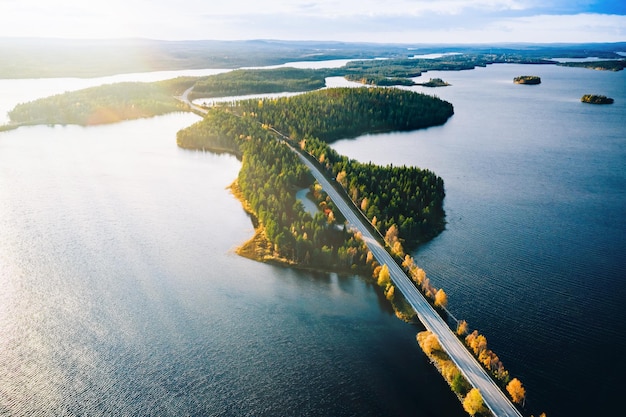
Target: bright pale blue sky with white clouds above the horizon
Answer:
pixel 381 21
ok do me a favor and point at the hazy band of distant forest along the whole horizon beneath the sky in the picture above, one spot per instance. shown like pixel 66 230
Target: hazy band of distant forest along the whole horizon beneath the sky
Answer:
pixel 42 58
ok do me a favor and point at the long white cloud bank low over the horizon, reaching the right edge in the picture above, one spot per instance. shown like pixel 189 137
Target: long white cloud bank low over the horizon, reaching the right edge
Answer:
pixel 461 28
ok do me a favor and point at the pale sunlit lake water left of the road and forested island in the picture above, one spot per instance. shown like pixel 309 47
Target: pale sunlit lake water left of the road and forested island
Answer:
pixel 121 294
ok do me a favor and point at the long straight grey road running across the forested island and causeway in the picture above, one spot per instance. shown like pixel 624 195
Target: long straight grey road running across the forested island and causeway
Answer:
pixel 473 371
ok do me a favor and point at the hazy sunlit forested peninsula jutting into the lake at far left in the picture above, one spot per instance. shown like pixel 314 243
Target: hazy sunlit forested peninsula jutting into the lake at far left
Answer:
pixel 97 105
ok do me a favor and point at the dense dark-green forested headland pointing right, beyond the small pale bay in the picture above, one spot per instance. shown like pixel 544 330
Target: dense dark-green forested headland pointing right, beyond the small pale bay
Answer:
pixel 338 113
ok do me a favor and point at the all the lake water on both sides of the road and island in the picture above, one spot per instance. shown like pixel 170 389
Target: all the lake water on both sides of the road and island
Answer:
pixel 120 293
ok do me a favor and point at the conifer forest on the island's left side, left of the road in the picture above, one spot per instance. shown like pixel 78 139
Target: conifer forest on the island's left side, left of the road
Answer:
pixel 270 176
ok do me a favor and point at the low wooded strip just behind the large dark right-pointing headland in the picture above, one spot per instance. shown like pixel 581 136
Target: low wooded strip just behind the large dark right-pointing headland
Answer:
pixel 259 81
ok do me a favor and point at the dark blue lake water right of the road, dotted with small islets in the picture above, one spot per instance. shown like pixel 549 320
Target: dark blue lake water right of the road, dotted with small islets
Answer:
pixel 534 250
